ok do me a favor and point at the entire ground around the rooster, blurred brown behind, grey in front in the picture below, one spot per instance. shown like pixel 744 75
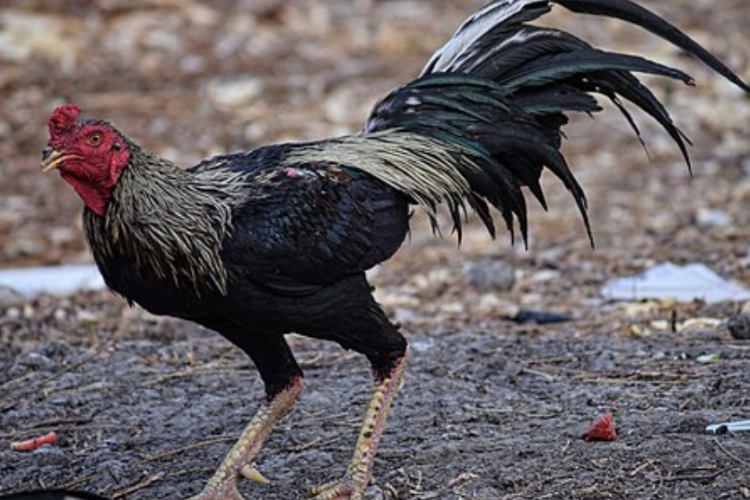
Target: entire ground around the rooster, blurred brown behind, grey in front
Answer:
pixel 491 408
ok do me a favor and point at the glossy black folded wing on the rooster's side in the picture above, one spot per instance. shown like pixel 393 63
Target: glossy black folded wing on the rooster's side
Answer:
pixel 307 225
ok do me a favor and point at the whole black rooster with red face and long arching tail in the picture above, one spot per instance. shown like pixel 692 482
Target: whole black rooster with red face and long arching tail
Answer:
pixel 259 244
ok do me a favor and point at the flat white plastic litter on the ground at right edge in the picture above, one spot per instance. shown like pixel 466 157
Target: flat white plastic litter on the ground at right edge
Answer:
pixel 682 283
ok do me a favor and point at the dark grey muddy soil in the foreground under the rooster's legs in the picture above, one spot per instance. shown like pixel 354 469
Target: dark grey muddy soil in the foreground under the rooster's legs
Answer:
pixel 485 412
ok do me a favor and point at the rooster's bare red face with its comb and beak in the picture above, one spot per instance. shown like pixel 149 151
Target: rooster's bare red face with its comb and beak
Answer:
pixel 93 156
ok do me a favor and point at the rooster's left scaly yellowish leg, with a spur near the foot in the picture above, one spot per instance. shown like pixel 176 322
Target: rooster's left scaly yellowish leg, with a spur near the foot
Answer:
pixel 238 462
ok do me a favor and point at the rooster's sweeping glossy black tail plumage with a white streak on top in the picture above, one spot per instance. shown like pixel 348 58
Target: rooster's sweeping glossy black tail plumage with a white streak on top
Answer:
pixel 498 93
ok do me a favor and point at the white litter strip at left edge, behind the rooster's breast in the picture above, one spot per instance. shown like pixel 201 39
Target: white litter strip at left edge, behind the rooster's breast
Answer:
pixel 56 280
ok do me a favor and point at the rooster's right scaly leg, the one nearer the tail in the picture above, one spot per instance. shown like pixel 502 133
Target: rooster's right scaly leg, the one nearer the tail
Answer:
pixel 358 475
